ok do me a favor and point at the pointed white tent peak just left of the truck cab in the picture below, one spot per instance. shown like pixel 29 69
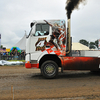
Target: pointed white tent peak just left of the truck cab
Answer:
pixel 22 43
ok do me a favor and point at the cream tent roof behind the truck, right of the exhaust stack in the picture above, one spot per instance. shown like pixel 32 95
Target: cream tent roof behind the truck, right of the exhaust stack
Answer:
pixel 79 46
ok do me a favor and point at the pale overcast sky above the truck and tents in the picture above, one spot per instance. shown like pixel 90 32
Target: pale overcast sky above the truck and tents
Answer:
pixel 16 16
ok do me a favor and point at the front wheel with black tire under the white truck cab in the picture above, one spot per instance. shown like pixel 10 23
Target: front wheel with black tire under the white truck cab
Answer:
pixel 49 69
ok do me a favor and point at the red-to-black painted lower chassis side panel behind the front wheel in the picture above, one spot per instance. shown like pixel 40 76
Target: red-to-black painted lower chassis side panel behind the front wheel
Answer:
pixel 81 63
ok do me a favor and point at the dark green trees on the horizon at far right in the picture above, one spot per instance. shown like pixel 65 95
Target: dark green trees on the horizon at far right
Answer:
pixel 91 45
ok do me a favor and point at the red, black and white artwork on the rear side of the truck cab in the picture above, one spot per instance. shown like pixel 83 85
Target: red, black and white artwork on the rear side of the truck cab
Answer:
pixel 57 42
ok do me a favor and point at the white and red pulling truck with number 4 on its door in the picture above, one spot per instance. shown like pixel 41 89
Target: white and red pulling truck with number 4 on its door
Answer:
pixel 48 47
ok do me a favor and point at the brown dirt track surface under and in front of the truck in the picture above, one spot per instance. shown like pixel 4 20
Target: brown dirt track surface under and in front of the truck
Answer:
pixel 19 83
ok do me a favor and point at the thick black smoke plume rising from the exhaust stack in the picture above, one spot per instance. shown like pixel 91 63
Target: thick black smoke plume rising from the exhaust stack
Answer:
pixel 71 5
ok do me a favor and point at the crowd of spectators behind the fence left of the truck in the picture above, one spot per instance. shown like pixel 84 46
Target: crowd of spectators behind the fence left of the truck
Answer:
pixel 13 55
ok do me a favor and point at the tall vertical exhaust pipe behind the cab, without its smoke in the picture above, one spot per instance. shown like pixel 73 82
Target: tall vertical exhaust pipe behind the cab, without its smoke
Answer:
pixel 69 40
